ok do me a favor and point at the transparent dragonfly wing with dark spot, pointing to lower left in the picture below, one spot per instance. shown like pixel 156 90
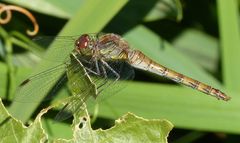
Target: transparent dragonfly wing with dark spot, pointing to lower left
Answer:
pixel 47 82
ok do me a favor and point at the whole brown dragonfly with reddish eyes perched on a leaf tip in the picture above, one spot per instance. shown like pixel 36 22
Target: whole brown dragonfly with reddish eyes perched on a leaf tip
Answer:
pixel 99 61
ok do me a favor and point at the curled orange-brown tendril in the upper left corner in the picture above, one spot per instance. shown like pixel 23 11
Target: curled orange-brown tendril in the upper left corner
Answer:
pixel 7 18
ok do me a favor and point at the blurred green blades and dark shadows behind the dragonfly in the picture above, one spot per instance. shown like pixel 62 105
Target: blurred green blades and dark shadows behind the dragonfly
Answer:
pixel 197 38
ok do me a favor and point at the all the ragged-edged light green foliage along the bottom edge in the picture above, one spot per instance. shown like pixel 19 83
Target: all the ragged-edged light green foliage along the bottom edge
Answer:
pixel 127 128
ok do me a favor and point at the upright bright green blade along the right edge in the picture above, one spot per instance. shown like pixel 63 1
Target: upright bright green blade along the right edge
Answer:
pixel 230 42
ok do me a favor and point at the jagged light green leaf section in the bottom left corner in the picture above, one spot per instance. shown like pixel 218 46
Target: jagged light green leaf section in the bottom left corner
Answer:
pixel 12 130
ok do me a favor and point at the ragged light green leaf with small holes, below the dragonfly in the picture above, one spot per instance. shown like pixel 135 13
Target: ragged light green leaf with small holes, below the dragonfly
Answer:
pixel 129 128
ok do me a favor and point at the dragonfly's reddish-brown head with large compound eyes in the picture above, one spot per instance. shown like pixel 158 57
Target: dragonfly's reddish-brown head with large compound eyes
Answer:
pixel 84 43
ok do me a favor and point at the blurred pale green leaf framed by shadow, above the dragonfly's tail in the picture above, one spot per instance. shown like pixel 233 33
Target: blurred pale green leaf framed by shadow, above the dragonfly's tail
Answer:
pixel 199 47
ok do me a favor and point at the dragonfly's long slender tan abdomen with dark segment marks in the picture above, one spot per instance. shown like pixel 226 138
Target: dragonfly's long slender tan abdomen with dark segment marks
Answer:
pixel 140 61
